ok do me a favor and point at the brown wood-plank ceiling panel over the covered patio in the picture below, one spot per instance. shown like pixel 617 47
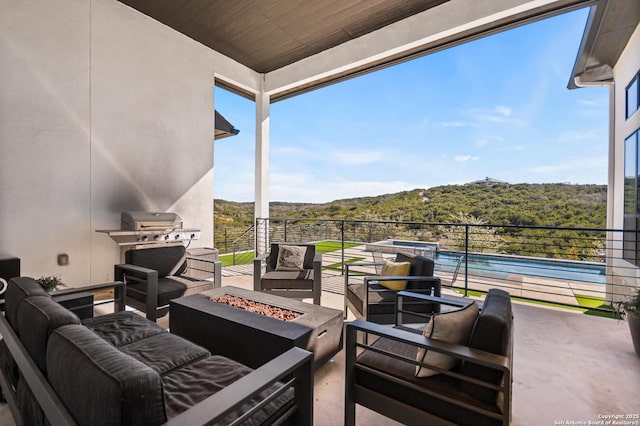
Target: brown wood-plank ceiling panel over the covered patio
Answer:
pixel 265 35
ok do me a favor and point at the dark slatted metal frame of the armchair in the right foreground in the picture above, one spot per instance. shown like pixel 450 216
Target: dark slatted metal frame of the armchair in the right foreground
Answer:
pixel 358 335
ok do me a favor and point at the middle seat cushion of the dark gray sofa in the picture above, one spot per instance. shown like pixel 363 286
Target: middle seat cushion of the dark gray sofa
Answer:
pixel 164 352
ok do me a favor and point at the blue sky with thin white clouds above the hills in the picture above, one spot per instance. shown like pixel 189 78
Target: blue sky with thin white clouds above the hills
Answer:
pixel 496 107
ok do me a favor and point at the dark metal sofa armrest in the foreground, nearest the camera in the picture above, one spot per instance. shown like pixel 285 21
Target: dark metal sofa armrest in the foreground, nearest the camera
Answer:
pixel 294 366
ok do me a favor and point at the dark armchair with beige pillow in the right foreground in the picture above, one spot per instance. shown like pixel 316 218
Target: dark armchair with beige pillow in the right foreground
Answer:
pixel 470 385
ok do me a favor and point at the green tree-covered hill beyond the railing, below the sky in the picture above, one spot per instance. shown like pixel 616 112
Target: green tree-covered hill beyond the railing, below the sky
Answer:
pixel 498 204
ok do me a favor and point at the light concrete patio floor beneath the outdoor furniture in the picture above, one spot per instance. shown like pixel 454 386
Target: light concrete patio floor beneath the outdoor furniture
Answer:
pixel 568 367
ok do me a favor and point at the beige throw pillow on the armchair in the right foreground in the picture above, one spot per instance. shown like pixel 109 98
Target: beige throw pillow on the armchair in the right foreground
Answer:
pixel 451 327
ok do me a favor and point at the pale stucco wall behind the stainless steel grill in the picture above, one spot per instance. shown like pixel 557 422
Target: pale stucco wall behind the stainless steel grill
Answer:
pixel 102 110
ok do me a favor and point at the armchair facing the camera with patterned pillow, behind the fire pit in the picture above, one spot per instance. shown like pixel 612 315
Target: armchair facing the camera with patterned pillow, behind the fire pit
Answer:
pixel 290 270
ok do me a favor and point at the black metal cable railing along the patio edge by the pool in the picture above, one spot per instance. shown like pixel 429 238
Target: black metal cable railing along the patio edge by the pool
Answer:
pixel 582 268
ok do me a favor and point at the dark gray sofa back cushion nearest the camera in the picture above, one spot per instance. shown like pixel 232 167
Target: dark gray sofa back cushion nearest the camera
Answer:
pixel 98 384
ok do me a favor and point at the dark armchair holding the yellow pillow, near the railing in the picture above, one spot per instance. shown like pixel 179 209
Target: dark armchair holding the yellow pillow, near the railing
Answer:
pixel 368 300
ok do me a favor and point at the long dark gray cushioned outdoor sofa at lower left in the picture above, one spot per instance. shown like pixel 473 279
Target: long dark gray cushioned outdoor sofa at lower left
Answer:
pixel 122 369
